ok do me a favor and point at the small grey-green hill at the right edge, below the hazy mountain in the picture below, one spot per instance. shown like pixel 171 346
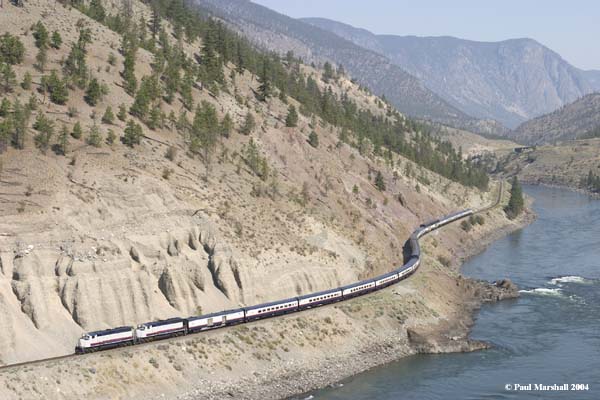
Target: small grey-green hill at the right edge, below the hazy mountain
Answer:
pixel 569 122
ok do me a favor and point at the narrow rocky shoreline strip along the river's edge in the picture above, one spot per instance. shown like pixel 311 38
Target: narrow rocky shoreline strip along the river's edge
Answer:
pixel 448 337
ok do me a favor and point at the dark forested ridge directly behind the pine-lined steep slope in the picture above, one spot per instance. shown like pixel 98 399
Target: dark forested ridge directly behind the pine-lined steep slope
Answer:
pixel 277 32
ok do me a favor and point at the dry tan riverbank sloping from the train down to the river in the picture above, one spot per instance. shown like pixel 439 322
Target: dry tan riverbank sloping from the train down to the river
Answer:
pixel 431 312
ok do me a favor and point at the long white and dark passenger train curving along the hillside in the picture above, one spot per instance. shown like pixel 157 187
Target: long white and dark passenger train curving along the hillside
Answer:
pixel 156 330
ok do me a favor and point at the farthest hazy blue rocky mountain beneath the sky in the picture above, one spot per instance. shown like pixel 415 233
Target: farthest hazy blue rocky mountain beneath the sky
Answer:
pixel 511 81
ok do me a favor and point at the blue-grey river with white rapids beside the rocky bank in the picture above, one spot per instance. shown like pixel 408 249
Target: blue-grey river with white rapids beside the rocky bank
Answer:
pixel 550 335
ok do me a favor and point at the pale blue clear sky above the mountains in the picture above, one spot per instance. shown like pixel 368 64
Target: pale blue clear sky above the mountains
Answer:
pixel 569 27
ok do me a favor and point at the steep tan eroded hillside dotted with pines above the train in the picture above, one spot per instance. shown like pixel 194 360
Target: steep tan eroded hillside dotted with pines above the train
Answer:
pixel 98 232
